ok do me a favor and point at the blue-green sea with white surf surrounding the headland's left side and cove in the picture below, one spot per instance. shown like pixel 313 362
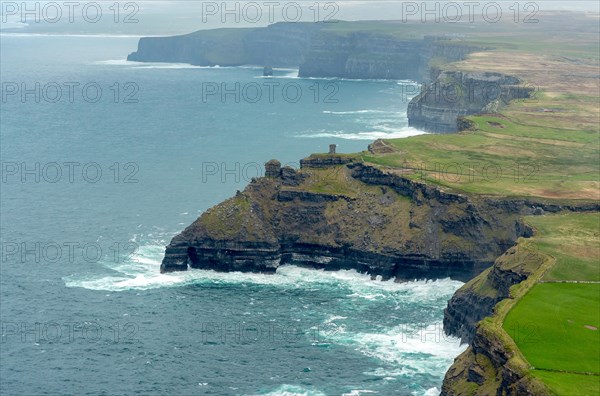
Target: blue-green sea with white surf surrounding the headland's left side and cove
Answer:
pixel 84 309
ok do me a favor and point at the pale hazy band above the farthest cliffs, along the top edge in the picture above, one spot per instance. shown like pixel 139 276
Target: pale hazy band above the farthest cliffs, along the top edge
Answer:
pixel 159 17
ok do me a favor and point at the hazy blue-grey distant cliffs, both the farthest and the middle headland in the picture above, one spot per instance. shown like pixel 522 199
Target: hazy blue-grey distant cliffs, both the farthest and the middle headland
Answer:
pixel 318 51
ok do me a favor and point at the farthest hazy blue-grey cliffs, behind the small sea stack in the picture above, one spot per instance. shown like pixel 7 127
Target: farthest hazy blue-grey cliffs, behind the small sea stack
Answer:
pixel 316 50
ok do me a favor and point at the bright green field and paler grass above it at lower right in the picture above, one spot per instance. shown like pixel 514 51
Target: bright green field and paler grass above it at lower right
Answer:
pixel 556 325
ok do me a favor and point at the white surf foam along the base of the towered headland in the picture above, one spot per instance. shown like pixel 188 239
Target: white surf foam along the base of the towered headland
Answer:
pixel 141 271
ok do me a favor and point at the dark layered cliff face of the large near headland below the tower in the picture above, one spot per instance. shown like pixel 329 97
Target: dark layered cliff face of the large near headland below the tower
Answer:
pixel 333 215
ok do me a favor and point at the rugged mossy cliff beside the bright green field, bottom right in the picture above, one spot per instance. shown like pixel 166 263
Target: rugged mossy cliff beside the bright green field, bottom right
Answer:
pixel 492 364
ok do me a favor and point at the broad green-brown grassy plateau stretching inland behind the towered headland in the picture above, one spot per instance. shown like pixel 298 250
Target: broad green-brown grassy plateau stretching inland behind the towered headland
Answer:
pixel 544 146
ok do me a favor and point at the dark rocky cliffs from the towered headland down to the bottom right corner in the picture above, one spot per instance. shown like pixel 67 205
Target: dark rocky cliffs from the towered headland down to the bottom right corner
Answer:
pixel 385 224
